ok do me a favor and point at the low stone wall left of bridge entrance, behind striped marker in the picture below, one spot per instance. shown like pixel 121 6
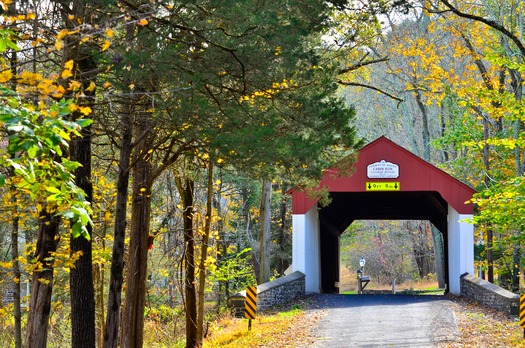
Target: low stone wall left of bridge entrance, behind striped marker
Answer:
pixel 271 294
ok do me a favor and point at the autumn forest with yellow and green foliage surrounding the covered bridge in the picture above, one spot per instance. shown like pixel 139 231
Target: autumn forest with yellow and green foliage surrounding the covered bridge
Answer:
pixel 147 147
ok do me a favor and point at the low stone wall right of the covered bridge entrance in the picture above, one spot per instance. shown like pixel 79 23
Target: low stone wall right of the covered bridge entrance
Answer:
pixel 489 294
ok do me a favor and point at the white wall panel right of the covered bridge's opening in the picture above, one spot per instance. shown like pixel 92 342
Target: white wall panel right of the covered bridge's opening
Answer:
pixel 460 248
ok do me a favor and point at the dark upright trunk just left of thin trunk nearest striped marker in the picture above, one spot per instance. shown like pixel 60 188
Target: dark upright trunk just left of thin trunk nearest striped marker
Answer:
pixel 186 190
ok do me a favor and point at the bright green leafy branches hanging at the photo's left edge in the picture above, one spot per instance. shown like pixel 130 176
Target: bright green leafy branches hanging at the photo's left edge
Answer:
pixel 37 139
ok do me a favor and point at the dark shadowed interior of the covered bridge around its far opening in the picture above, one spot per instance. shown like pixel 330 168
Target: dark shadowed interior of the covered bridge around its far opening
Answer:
pixel 346 207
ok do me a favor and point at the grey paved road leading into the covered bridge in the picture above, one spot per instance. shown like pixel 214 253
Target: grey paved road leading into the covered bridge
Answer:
pixel 384 321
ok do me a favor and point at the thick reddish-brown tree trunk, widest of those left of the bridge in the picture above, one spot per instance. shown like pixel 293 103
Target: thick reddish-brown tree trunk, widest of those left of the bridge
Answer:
pixel 133 313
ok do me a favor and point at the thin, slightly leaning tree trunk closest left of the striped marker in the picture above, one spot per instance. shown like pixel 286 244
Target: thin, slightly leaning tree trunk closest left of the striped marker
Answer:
pixel 203 257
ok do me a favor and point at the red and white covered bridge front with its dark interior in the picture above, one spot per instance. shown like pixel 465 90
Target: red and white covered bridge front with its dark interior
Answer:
pixel 388 183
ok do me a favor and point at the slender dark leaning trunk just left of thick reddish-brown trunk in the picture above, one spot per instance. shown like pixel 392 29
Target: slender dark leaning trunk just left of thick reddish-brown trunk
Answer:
pixel 111 334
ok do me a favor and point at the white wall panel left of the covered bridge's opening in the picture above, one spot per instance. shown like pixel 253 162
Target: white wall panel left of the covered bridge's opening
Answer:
pixel 306 249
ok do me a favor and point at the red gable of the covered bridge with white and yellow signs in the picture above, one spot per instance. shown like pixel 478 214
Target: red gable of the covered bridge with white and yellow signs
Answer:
pixel 397 176
